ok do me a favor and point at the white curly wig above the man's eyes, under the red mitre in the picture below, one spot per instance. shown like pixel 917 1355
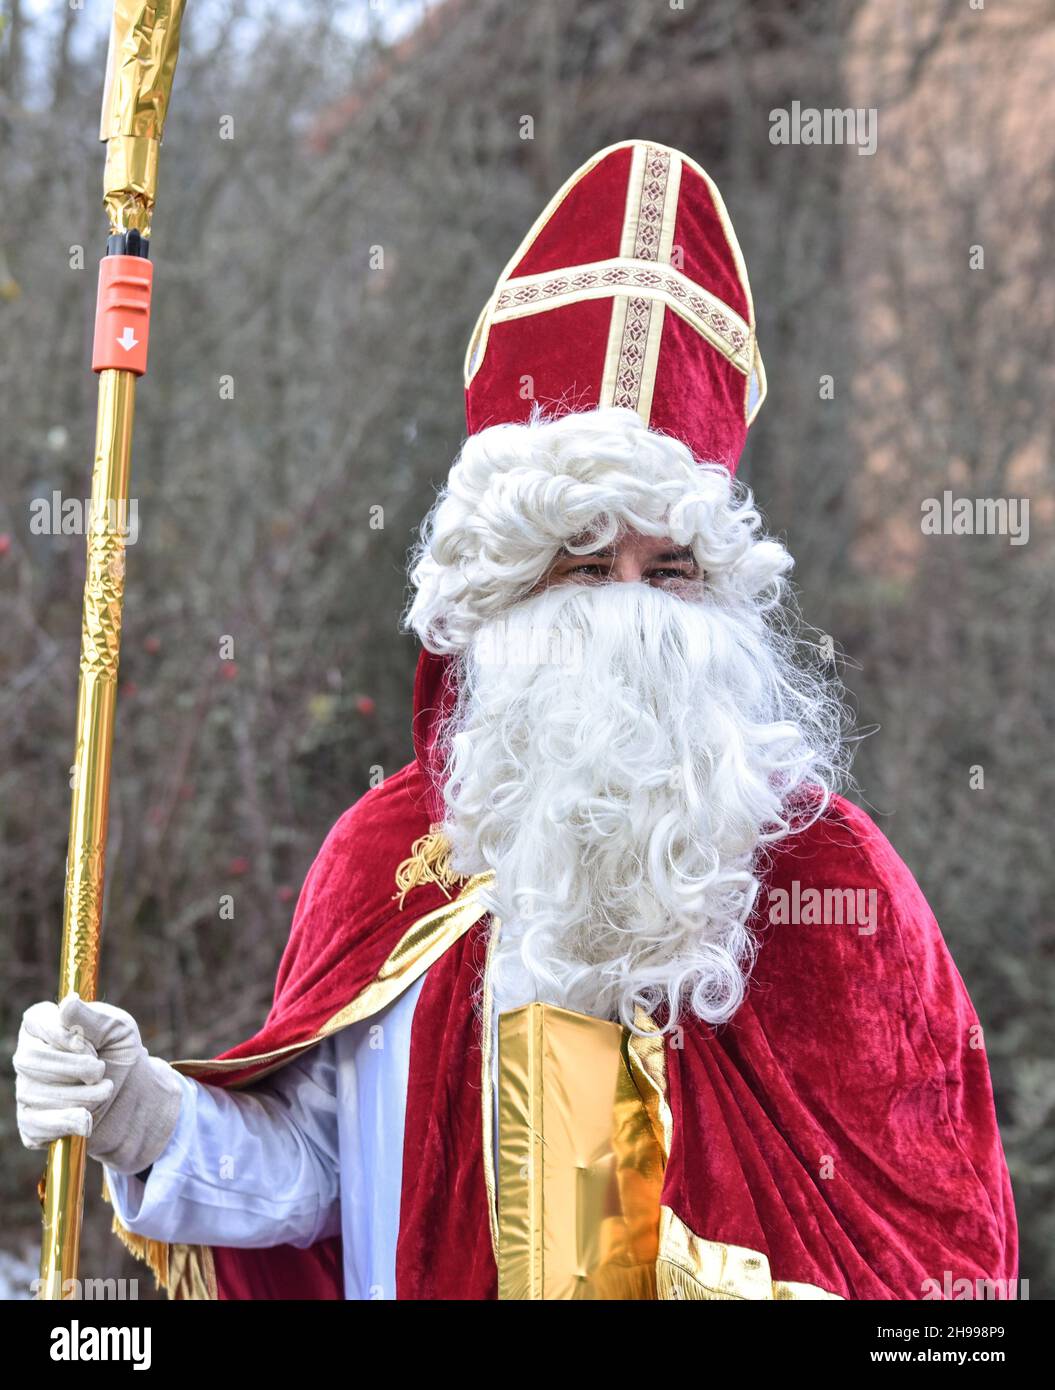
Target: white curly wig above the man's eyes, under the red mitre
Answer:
pixel 519 494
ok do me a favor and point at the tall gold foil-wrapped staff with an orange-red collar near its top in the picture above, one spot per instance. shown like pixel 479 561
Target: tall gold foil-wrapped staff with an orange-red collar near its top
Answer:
pixel 141 62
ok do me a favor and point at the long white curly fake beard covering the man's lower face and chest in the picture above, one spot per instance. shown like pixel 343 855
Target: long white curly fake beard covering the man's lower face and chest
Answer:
pixel 619 758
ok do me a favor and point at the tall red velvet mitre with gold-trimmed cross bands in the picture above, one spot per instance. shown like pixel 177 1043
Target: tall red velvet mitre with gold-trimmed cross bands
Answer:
pixel 629 291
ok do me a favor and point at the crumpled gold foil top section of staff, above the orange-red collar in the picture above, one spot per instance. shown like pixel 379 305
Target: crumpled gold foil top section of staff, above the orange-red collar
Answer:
pixel 140 69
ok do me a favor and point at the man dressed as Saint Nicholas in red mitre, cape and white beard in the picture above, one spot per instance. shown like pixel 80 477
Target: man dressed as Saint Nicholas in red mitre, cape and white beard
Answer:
pixel 623 815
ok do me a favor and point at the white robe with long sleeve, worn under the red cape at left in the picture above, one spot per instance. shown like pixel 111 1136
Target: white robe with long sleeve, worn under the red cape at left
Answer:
pixel 312 1150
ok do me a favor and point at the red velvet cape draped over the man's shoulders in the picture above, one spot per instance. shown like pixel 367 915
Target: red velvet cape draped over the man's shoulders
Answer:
pixel 843 1124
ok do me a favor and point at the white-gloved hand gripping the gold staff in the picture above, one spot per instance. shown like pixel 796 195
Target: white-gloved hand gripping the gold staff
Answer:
pixel 83 1070
